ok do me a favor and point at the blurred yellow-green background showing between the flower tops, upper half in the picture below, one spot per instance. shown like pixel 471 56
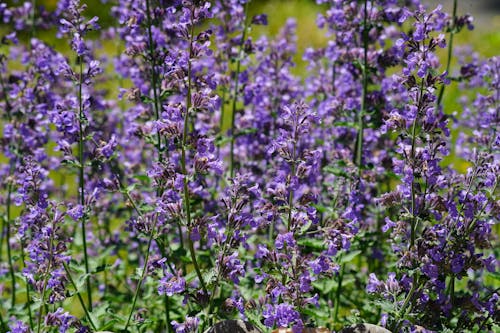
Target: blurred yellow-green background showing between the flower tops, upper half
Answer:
pixel 484 39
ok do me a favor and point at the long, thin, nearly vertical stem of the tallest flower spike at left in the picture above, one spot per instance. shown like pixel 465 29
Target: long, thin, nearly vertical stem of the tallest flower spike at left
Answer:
pixel 81 160
